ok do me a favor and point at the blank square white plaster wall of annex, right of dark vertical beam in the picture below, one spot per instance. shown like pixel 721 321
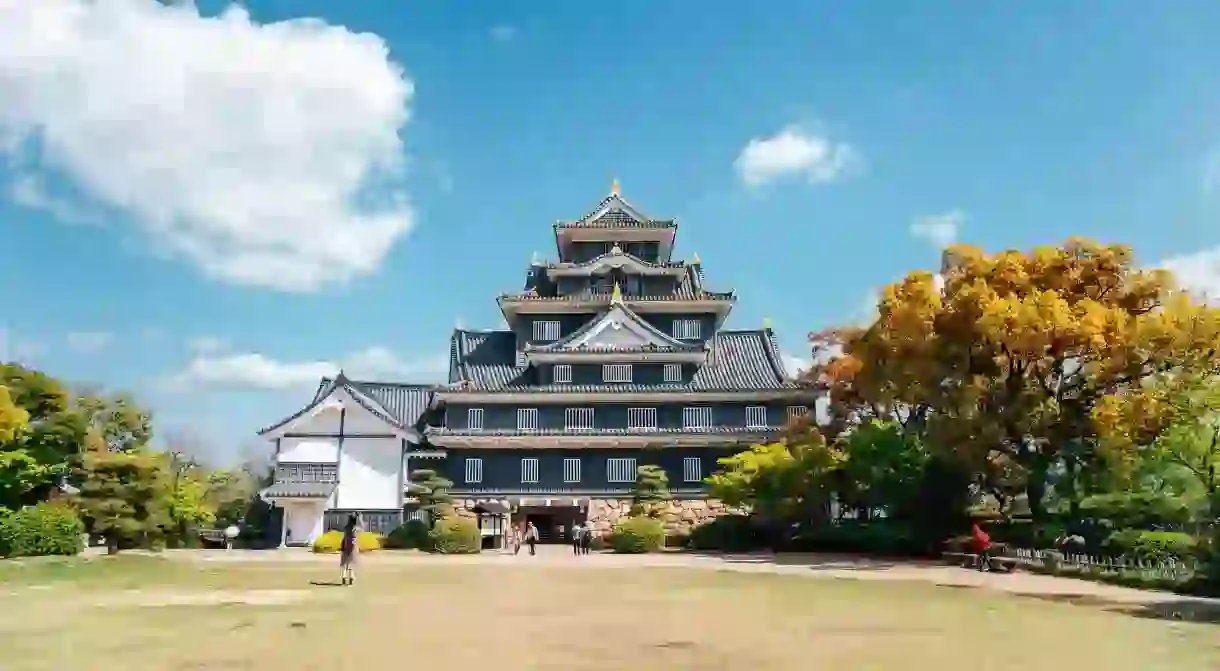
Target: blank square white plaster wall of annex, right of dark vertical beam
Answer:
pixel 369 474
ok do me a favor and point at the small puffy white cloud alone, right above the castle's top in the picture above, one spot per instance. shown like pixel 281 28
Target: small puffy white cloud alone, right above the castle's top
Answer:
pixel 795 153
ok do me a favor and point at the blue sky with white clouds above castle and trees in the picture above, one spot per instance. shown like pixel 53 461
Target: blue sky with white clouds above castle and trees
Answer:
pixel 213 209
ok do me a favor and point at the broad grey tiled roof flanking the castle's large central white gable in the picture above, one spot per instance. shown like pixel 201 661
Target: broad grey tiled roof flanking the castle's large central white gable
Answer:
pixel 737 362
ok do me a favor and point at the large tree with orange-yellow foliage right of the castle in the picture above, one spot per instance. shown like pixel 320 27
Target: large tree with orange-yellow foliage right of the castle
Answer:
pixel 1014 353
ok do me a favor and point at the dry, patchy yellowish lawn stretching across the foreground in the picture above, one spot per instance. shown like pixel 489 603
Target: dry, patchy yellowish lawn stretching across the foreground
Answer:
pixel 152 614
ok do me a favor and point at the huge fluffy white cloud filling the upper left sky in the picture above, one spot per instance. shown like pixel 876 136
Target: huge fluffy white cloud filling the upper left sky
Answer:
pixel 268 154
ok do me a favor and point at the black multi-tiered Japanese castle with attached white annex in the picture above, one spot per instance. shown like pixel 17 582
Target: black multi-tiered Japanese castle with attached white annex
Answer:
pixel 615 358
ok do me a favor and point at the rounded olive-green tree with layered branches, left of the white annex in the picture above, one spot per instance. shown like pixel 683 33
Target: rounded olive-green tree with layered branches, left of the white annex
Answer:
pixel 125 496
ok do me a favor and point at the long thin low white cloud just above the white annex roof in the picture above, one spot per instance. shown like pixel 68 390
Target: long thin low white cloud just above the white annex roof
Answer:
pixel 258 371
